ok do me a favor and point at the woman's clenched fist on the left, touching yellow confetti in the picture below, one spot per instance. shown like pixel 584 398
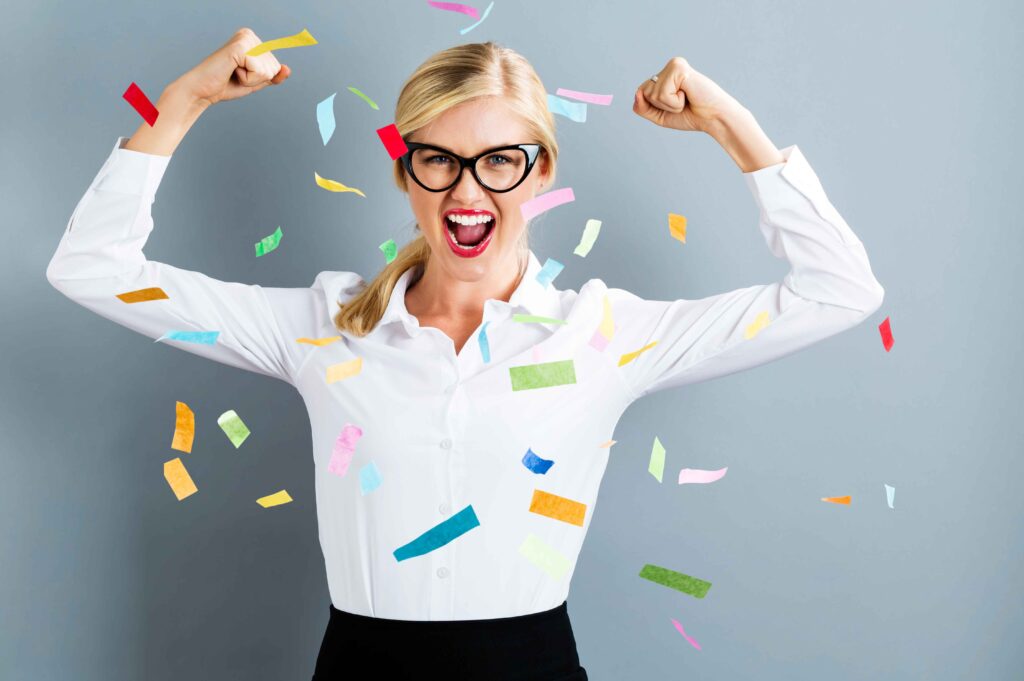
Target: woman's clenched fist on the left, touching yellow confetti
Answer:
pixel 230 73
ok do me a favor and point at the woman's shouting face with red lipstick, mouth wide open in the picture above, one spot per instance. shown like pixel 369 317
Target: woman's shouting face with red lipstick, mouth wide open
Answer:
pixel 467 131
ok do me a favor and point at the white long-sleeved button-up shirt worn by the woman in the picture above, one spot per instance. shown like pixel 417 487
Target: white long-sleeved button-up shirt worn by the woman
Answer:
pixel 447 432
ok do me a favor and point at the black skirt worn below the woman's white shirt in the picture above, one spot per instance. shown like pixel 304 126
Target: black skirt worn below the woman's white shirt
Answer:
pixel 538 647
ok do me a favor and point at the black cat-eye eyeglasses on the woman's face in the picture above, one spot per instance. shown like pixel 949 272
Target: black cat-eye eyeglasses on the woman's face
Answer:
pixel 438 169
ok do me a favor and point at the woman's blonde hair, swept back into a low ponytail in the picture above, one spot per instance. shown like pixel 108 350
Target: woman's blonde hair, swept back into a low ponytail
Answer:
pixel 447 79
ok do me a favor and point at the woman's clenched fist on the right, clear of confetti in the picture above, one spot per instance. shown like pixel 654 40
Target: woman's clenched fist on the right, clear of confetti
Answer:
pixel 684 99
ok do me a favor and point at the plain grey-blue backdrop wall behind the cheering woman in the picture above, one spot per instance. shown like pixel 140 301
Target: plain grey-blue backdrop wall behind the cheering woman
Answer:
pixel 906 112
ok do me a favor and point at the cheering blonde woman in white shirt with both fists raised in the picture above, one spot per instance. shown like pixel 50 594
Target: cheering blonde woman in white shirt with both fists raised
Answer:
pixel 451 543
